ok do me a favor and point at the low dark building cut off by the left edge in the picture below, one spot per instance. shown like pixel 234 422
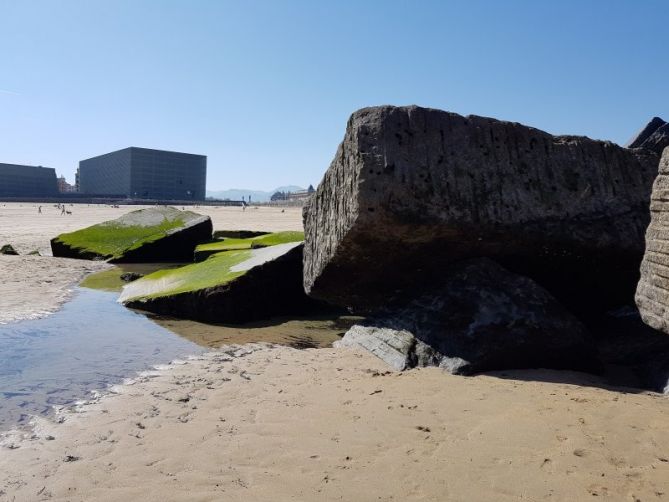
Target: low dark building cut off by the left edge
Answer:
pixel 27 181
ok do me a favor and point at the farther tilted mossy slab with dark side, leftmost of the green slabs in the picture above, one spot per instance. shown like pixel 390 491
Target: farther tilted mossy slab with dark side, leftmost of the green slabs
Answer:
pixel 157 234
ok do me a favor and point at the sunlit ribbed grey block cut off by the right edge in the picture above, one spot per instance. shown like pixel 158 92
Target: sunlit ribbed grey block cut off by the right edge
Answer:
pixel 652 296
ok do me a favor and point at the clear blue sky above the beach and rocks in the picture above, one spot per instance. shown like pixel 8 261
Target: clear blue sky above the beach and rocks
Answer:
pixel 264 88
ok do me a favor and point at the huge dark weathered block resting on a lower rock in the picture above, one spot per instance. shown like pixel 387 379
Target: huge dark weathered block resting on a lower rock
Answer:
pixel 412 190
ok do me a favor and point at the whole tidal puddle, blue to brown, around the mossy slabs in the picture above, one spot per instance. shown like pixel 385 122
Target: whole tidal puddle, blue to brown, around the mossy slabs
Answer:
pixel 93 342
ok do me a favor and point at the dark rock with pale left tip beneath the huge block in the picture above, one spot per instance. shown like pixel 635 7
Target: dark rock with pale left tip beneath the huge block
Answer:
pixel 483 318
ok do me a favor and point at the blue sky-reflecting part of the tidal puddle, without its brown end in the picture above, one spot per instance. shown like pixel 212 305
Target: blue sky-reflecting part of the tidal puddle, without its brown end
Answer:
pixel 90 343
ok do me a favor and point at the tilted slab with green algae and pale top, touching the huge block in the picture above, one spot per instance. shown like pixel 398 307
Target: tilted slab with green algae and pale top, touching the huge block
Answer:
pixel 228 287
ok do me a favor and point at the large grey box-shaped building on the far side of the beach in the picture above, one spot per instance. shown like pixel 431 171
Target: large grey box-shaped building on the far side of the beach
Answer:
pixel 142 173
